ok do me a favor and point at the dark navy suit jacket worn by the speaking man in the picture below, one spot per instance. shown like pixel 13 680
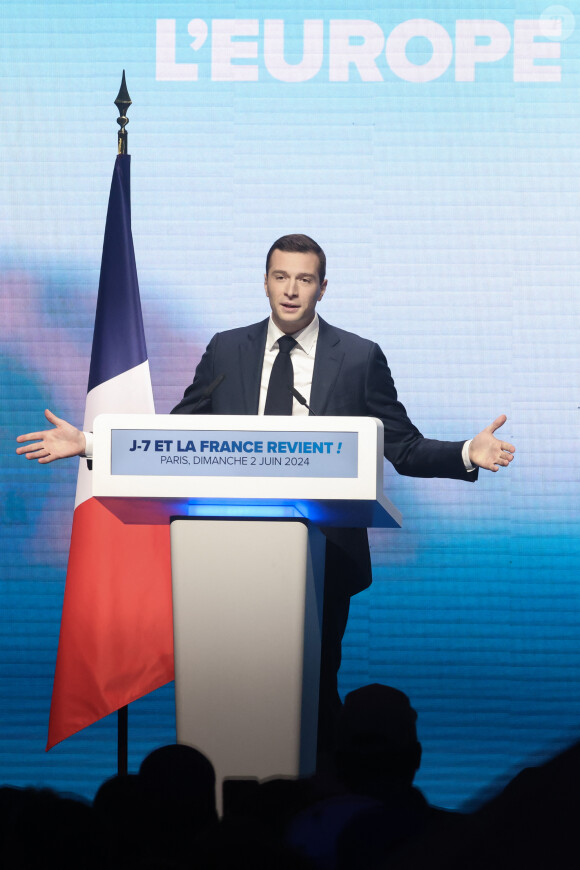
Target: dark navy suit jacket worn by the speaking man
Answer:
pixel 351 378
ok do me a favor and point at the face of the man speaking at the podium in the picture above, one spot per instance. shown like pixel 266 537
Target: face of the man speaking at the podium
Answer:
pixel 293 287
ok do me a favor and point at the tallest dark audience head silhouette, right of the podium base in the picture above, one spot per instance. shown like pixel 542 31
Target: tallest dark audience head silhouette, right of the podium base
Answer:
pixel 377 737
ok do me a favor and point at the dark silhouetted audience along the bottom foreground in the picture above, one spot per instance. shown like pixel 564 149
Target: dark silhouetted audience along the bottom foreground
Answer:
pixel 362 812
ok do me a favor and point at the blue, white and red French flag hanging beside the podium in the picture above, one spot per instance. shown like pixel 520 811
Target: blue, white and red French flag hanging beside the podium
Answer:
pixel 116 634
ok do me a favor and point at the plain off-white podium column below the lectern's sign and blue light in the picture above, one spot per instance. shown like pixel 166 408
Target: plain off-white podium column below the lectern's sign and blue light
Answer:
pixel 247 600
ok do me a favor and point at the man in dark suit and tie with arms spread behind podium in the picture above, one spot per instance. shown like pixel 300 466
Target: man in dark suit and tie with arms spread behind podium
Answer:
pixel 339 374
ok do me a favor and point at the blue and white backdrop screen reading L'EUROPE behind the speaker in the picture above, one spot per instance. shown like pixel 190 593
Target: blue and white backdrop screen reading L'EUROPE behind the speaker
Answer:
pixel 431 148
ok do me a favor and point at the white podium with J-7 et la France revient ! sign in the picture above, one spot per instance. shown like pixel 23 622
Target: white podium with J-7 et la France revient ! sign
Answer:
pixel 245 497
